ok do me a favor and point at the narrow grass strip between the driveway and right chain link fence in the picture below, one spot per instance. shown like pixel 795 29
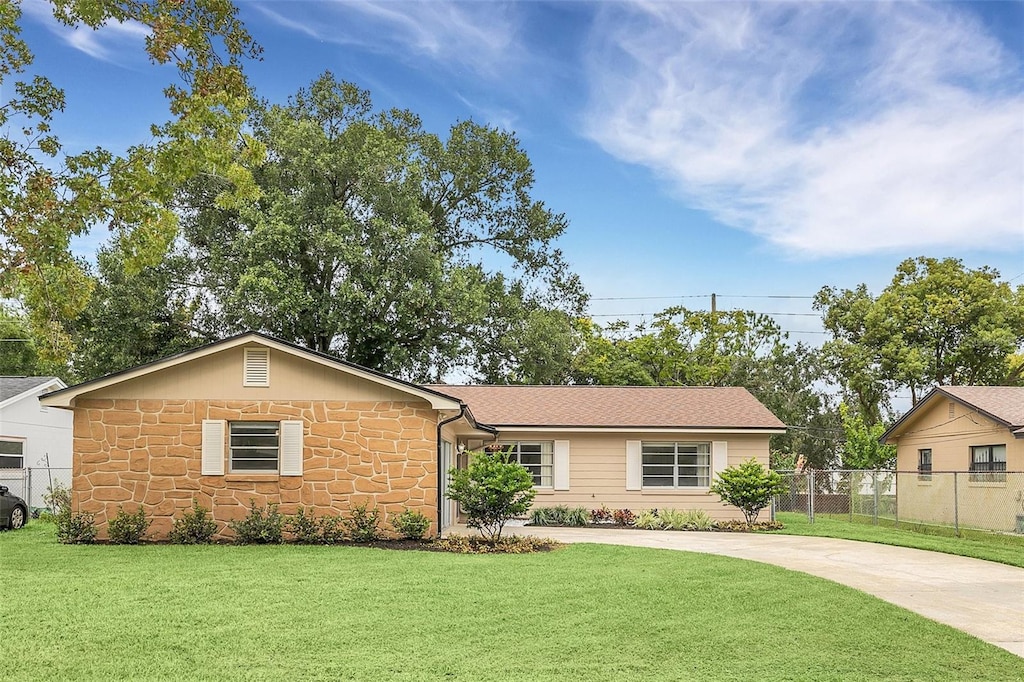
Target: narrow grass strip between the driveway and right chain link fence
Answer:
pixel 1003 548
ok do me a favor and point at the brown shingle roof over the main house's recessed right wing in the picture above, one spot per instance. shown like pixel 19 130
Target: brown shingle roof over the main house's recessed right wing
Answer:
pixel 679 407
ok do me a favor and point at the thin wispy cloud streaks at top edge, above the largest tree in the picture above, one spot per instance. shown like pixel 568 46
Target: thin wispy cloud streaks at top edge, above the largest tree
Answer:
pixel 478 36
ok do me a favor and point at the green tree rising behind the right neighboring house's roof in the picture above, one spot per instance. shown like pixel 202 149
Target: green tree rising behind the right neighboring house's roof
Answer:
pixel 937 323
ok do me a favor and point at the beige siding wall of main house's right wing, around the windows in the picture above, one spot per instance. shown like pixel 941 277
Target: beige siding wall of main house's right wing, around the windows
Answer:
pixel 598 472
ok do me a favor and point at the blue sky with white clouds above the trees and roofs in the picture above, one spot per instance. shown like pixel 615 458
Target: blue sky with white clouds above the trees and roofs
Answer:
pixel 749 150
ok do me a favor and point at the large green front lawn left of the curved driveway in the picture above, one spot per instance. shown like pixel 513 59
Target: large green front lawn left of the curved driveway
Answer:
pixel 583 613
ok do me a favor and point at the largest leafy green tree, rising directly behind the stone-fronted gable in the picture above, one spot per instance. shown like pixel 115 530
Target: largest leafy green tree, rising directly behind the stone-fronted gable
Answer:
pixel 372 238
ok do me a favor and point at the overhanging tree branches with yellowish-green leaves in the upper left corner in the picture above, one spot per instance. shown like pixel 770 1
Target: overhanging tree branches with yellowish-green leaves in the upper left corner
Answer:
pixel 49 197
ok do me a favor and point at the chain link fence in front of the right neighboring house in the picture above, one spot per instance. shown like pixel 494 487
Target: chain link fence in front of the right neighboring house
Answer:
pixel 985 501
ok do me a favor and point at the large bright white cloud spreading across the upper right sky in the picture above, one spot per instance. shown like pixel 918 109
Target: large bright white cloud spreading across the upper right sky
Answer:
pixel 830 130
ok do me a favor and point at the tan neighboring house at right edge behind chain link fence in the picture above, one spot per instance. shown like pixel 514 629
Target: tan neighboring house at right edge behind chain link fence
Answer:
pixel 975 432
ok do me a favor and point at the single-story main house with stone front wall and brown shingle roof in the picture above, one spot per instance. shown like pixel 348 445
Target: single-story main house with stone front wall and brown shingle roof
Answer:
pixel 252 418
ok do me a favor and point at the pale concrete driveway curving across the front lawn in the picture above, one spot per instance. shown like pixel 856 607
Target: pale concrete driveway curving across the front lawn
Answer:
pixel 983 599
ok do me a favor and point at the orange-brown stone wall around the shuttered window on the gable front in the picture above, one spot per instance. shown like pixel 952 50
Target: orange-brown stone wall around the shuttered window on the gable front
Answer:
pixel 149 453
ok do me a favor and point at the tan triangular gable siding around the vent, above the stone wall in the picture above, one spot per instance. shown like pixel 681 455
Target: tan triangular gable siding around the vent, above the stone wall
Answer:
pixel 220 377
